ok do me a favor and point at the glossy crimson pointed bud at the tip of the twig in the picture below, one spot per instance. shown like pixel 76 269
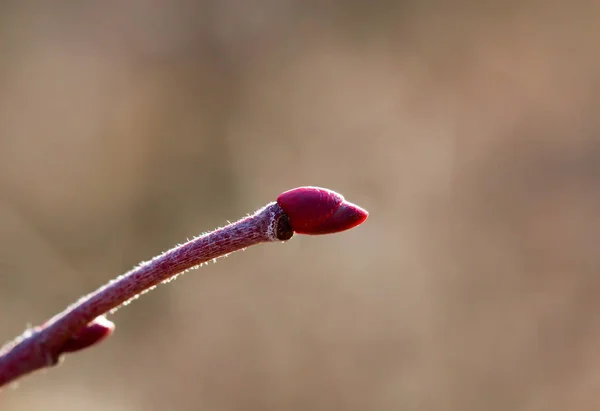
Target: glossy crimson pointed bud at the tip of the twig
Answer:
pixel 315 210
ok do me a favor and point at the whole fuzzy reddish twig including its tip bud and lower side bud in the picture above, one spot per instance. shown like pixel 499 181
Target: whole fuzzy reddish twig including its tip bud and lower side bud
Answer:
pixel 83 324
